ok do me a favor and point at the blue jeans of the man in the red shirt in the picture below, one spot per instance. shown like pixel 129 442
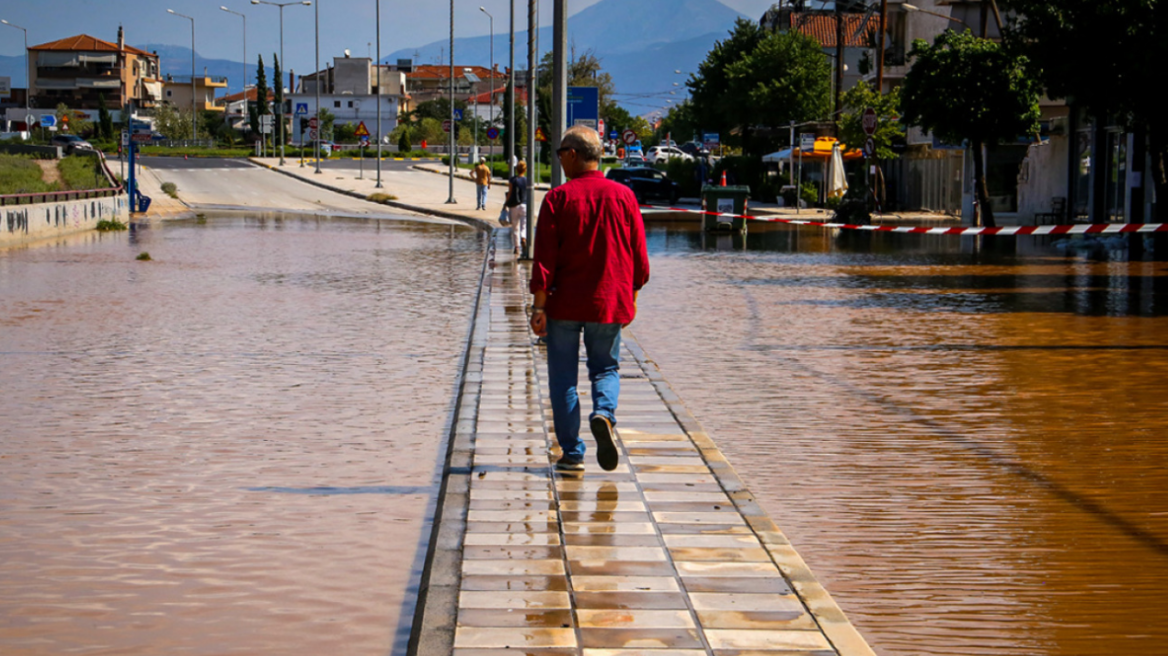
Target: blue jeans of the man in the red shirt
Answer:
pixel 602 344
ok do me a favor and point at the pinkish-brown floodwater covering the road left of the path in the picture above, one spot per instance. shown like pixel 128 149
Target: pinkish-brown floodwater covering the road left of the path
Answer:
pixel 232 449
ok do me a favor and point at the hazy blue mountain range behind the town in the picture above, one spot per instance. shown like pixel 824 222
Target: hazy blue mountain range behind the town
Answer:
pixel 641 44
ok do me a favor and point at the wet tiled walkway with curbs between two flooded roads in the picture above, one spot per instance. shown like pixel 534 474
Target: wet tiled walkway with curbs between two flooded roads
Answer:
pixel 666 556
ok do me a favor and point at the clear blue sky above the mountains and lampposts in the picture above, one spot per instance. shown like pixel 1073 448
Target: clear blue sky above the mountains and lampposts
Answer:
pixel 344 24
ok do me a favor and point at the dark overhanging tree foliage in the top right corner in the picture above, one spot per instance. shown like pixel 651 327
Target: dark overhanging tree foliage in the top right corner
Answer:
pixel 1113 82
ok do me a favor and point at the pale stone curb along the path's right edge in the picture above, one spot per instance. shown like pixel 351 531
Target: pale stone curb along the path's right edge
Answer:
pixel 828 613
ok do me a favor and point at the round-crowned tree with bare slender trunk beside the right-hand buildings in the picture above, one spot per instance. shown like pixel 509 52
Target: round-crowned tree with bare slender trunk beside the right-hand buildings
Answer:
pixel 965 88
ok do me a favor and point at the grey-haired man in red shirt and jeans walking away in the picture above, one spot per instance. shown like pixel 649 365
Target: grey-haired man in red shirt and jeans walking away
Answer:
pixel 590 262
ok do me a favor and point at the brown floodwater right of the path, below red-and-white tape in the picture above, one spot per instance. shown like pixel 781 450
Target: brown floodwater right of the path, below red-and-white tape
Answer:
pixel 968 441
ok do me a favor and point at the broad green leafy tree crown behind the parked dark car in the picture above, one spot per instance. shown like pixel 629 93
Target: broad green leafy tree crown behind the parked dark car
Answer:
pixel 756 79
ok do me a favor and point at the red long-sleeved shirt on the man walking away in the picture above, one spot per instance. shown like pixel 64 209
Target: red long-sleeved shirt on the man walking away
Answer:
pixel 590 253
